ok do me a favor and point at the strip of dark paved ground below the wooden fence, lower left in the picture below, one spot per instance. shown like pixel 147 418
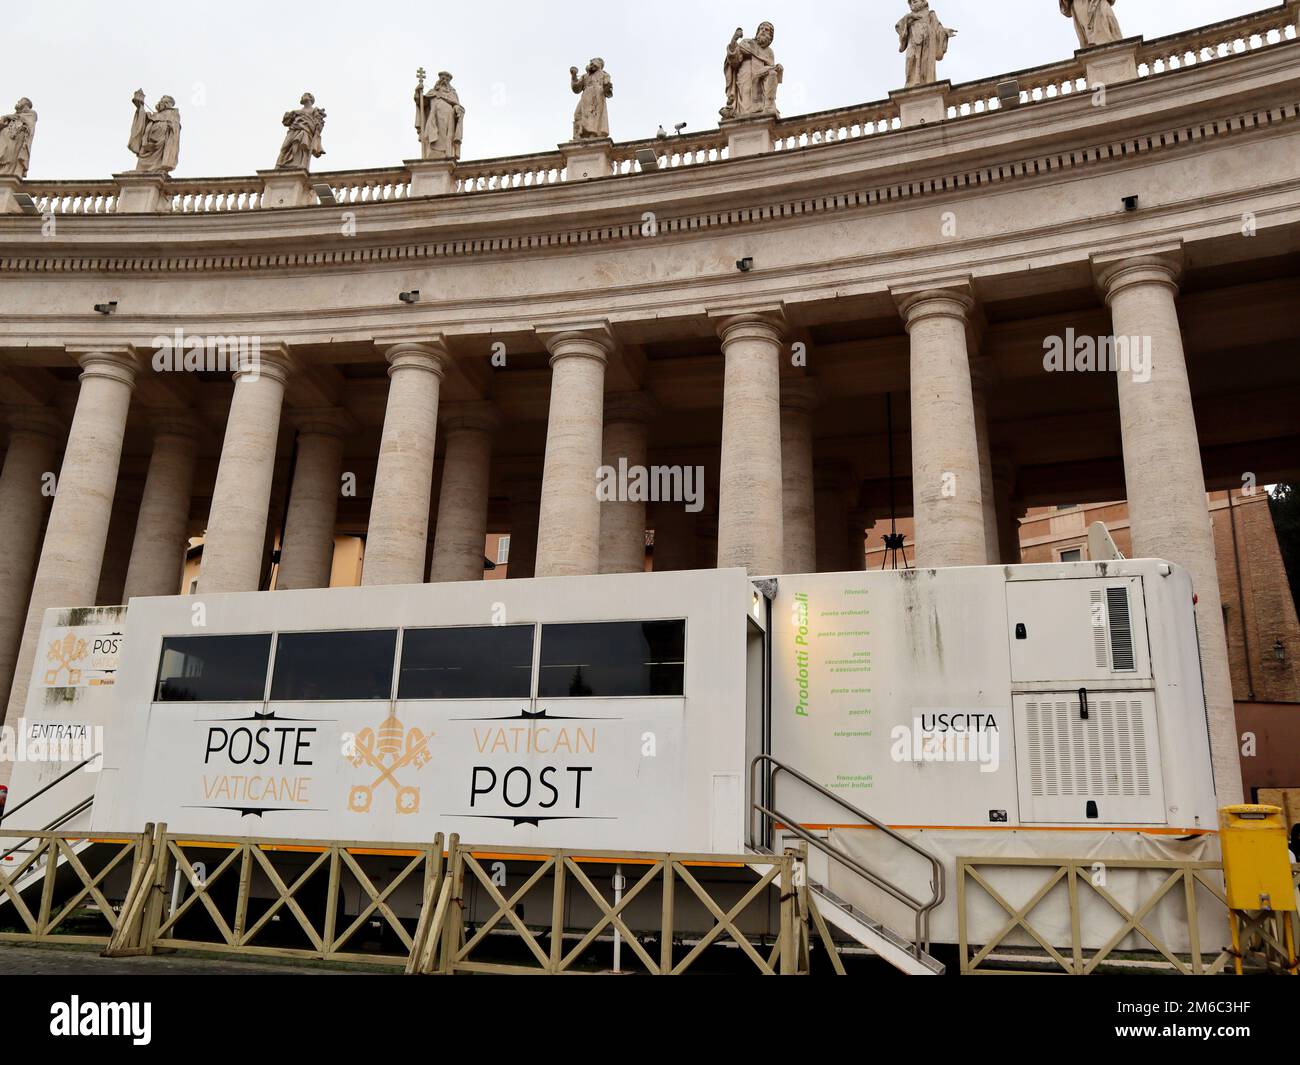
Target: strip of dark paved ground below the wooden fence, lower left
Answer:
pixel 67 962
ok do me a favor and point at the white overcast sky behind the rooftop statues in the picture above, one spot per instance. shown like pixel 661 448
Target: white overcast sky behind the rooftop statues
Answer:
pixel 235 67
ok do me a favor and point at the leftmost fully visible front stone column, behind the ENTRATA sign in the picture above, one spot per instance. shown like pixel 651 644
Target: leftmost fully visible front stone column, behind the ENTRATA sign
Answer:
pixel 73 551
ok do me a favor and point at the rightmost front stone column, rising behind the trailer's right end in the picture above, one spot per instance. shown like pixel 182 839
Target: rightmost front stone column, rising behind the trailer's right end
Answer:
pixel 1165 486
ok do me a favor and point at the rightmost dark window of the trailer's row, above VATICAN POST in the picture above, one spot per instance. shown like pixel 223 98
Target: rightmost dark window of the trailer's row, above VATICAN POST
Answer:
pixel 613 659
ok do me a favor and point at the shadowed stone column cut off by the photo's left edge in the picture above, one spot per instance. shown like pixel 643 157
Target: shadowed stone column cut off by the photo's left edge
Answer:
pixel 34 438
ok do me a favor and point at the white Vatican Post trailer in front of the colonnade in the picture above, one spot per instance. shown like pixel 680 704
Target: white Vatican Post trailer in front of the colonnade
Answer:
pixel 987 711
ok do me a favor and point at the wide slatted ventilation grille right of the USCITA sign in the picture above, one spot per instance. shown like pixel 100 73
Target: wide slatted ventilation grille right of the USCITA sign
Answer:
pixel 1099 757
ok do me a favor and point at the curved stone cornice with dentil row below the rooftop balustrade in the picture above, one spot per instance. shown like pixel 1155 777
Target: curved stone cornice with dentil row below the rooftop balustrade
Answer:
pixel 959 158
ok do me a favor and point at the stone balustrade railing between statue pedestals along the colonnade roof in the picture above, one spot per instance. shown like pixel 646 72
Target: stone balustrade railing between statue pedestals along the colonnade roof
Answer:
pixel 385 185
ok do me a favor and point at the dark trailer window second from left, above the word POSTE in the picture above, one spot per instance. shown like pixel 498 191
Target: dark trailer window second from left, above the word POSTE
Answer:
pixel 352 666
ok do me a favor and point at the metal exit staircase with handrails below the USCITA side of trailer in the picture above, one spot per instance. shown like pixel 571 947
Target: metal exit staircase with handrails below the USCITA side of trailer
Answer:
pixel 907 955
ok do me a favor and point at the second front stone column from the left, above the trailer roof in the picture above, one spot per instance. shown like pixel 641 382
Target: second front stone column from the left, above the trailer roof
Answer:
pixel 236 539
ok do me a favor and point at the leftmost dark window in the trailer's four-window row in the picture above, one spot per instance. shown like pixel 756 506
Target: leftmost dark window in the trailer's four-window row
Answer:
pixel 214 669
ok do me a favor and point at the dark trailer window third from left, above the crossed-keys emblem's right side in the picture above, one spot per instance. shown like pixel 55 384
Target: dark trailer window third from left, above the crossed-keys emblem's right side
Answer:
pixel 479 663
